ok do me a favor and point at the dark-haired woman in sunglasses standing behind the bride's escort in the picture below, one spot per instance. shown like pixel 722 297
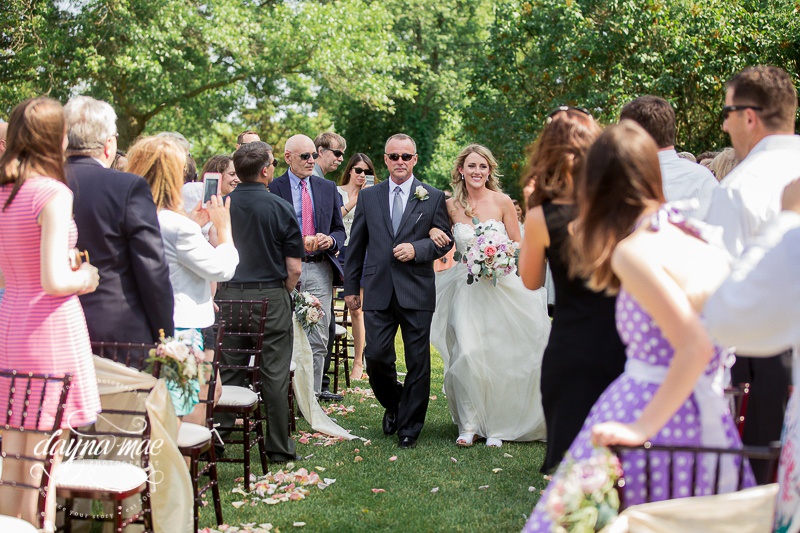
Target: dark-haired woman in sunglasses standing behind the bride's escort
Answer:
pixel 353 180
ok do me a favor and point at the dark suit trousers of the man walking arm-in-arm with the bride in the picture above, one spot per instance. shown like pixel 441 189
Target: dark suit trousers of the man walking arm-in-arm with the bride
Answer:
pixel 409 400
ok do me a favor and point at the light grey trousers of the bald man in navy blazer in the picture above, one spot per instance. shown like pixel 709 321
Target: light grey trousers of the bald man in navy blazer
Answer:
pixel 317 278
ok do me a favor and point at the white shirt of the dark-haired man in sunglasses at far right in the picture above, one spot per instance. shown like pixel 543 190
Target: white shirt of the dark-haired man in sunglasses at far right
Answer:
pixel 750 196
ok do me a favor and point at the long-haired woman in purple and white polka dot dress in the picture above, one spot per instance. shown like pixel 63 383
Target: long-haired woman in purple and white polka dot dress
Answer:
pixel 627 242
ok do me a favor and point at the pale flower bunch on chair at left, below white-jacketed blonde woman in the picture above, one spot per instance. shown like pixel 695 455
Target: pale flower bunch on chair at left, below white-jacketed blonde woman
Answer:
pixel 180 363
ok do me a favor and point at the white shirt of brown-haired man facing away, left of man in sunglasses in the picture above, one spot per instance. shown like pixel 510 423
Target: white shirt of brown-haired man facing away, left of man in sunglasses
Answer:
pixel 683 180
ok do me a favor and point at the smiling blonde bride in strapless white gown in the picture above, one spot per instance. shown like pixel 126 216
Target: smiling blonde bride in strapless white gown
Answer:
pixel 491 337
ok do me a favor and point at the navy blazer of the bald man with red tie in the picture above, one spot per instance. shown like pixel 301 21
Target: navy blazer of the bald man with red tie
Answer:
pixel 327 213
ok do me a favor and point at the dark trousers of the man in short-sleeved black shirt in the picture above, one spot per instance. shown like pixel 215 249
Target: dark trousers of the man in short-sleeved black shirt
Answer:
pixel 276 357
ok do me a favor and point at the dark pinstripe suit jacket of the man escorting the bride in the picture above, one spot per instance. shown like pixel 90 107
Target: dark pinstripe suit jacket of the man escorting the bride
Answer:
pixel 413 281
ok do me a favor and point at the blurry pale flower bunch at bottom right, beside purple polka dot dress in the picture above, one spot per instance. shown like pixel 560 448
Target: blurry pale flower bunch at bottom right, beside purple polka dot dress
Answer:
pixel 583 498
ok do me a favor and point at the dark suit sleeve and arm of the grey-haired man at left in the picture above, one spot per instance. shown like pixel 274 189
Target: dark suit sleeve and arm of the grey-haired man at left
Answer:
pixel 148 263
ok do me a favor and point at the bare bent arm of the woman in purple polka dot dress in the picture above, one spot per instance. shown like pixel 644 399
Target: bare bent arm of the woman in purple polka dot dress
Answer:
pixel 645 279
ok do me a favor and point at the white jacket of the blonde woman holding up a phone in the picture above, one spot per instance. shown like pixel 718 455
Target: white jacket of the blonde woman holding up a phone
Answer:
pixel 193 264
